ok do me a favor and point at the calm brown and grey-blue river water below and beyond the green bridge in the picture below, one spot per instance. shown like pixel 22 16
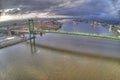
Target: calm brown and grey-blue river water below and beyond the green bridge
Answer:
pixel 61 57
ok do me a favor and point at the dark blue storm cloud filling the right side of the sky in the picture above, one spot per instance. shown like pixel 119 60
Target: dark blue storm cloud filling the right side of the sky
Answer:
pixel 90 7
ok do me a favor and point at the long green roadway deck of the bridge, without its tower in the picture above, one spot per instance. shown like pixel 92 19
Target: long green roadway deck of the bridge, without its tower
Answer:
pixel 70 33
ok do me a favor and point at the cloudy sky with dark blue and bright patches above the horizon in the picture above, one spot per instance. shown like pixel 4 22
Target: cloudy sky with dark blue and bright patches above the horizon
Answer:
pixel 59 7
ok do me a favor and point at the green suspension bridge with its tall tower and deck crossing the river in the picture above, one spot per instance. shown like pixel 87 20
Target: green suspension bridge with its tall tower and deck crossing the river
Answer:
pixel 32 32
